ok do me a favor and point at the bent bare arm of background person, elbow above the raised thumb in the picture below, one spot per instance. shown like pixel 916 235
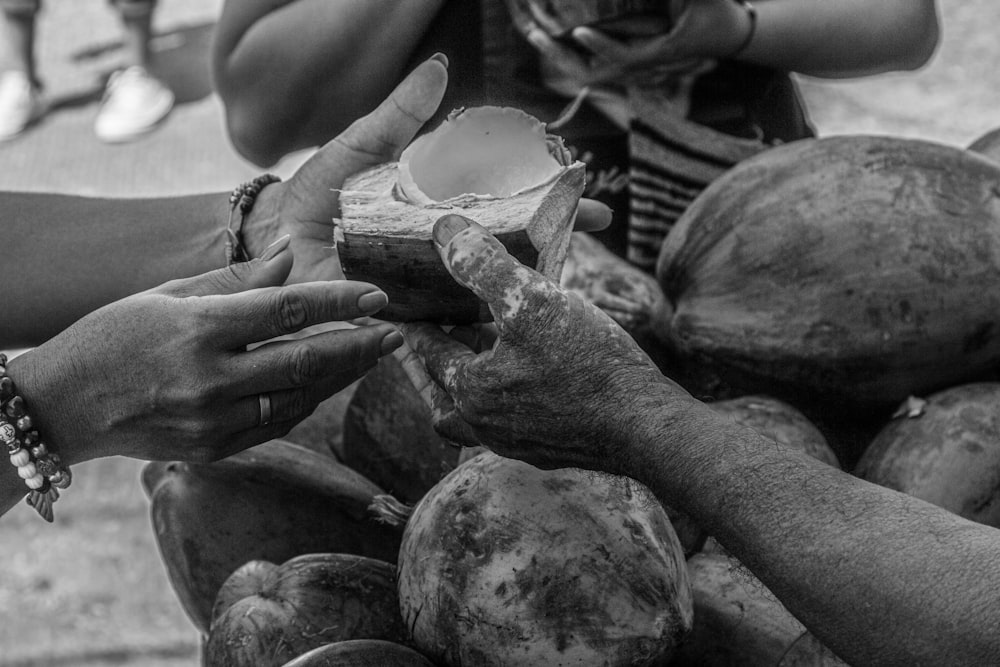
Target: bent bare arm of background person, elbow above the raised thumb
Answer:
pixel 295 73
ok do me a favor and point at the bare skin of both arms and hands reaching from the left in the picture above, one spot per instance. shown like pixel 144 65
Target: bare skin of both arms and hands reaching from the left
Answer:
pixel 165 374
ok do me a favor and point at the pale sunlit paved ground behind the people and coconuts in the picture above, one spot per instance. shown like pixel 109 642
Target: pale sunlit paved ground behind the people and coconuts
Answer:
pixel 91 590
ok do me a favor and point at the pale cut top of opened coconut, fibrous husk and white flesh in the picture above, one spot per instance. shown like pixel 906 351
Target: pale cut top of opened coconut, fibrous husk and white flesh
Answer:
pixel 495 165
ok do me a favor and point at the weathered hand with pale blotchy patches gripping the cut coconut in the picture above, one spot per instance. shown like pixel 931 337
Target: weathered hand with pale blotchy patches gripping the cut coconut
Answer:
pixel 560 384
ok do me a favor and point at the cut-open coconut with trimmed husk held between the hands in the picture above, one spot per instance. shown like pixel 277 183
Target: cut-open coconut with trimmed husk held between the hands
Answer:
pixel 494 165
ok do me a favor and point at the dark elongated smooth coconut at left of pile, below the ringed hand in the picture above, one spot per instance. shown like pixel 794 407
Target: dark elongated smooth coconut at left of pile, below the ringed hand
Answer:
pixel 271 502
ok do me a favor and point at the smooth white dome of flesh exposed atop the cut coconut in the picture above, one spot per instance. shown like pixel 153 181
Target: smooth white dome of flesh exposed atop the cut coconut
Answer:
pixel 486 151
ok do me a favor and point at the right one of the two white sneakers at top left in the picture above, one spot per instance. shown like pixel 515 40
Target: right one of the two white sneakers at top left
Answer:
pixel 134 103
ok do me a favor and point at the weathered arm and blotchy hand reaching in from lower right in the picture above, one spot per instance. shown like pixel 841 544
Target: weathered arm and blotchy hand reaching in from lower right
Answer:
pixel 880 577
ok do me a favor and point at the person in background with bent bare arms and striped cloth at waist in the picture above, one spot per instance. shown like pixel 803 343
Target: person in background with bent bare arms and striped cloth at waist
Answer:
pixel 658 106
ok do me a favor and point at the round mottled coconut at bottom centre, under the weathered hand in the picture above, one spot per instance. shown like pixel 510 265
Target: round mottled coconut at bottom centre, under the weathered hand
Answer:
pixel 503 563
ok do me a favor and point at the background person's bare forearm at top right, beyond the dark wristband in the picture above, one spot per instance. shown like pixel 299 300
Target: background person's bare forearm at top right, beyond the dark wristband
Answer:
pixel 846 38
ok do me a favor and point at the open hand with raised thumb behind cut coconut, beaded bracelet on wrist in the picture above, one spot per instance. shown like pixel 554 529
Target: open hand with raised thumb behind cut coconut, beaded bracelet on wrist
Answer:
pixel 306 205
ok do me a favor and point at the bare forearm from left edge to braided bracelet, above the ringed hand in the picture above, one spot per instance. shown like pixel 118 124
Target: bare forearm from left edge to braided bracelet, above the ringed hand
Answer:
pixel 67 256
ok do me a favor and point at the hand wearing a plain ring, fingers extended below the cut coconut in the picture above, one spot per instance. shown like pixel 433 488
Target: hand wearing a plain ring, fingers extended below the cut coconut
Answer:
pixel 166 374
